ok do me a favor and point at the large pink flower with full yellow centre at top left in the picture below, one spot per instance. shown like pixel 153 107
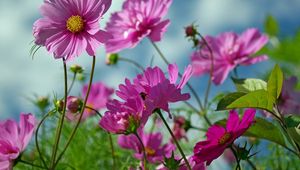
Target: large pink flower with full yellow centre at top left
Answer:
pixel 70 27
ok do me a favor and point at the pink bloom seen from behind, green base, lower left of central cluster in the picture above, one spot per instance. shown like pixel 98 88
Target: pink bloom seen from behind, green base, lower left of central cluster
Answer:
pixel 124 118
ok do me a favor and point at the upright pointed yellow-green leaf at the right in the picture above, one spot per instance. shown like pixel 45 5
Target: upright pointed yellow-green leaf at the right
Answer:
pixel 275 82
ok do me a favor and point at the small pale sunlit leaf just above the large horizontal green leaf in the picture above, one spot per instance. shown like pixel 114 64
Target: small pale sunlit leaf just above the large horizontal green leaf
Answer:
pixel 248 85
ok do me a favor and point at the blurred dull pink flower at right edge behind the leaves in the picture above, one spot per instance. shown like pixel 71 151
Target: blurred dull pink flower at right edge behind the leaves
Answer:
pixel 289 99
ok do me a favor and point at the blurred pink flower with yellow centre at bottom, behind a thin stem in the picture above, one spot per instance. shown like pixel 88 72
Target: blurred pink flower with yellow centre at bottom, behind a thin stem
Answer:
pixel 155 151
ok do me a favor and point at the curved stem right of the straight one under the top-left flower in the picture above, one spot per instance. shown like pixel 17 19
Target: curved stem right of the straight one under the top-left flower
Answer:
pixel 81 113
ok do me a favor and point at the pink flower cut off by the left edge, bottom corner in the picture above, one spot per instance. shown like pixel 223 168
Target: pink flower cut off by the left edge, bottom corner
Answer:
pixel 14 138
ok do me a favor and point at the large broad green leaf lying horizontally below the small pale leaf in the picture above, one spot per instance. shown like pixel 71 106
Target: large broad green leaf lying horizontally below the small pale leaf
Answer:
pixel 260 99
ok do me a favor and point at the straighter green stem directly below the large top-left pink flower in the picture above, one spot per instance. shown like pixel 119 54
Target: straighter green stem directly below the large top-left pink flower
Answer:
pixel 61 121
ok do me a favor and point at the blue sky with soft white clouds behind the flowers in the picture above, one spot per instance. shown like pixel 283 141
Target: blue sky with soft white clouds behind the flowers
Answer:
pixel 21 77
